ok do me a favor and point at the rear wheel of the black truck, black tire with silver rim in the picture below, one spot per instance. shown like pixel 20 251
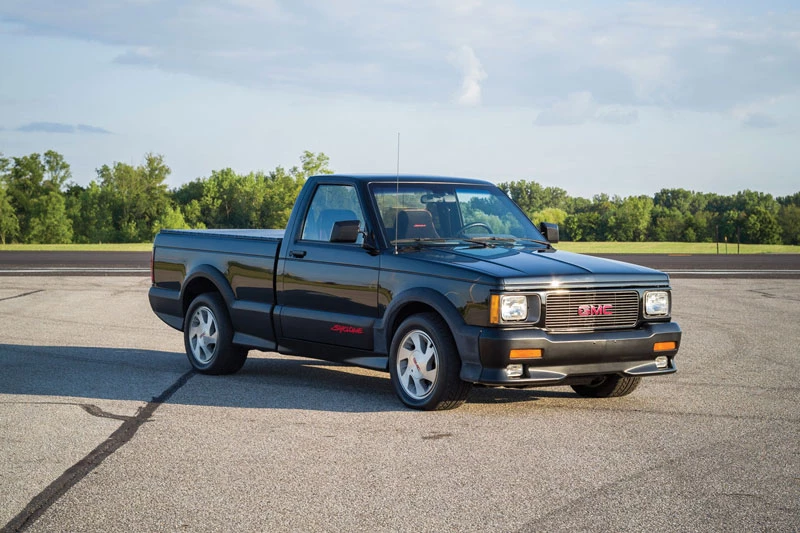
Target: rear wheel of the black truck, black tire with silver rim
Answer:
pixel 208 336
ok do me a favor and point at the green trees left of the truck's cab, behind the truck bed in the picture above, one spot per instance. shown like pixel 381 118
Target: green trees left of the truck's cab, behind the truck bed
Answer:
pixel 126 203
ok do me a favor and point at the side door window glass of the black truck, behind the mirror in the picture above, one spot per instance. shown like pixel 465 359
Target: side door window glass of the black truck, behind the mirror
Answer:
pixel 331 203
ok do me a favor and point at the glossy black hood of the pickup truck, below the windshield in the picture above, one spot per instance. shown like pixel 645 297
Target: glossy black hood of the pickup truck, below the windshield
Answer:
pixel 525 266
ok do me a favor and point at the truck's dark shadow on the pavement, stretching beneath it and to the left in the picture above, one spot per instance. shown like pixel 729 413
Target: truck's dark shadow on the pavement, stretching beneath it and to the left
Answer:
pixel 266 381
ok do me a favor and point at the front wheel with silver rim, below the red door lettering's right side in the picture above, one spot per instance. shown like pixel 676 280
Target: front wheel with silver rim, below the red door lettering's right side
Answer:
pixel 431 383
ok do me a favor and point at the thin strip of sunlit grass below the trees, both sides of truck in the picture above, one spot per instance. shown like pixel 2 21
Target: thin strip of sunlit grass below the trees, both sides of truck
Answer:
pixel 691 248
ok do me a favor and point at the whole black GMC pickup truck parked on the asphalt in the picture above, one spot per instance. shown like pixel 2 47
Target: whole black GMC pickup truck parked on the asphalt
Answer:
pixel 442 282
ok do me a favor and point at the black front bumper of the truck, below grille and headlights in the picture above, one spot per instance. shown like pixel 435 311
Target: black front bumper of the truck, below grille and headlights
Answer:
pixel 570 356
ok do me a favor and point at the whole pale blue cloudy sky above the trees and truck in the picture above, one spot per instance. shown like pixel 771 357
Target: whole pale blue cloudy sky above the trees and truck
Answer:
pixel 594 97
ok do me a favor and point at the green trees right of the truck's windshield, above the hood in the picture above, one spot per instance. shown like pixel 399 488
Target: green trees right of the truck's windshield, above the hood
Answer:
pixel 675 215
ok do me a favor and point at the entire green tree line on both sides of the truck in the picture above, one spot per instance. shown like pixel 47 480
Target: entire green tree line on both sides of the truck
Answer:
pixel 125 203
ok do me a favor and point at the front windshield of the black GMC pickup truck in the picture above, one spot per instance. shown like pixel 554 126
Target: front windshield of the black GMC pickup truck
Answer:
pixel 448 211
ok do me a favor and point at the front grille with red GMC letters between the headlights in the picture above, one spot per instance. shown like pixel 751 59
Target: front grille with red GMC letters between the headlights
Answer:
pixel 563 310
